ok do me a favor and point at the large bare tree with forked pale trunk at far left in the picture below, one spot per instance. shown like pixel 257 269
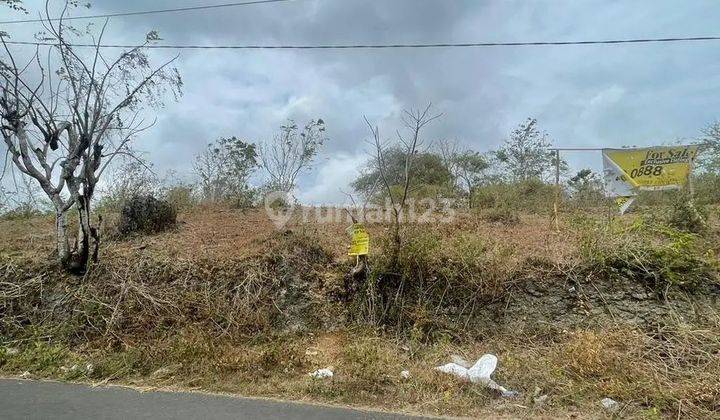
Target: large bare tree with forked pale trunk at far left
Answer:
pixel 66 113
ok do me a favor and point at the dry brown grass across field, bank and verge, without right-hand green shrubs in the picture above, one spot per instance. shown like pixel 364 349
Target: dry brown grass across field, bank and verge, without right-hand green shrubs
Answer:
pixel 226 302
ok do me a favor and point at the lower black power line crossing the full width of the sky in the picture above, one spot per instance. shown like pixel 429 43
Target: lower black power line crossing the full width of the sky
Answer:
pixel 386 46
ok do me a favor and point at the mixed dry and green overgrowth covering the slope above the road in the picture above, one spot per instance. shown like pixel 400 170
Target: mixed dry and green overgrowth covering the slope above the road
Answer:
pixel 641 326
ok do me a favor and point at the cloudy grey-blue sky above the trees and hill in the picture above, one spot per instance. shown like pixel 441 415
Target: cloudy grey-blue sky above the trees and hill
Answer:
pixel 582 96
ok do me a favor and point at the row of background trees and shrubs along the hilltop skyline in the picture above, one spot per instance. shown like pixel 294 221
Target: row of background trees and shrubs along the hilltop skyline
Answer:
pixel 518 176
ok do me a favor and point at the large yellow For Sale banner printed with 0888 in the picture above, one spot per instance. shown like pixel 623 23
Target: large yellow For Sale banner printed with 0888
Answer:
pixel 654 168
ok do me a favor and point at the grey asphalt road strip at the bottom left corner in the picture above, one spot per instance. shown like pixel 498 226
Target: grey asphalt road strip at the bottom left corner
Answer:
pixel 20 399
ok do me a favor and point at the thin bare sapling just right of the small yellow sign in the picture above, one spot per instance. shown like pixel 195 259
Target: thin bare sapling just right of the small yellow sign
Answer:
pixel 414 121
